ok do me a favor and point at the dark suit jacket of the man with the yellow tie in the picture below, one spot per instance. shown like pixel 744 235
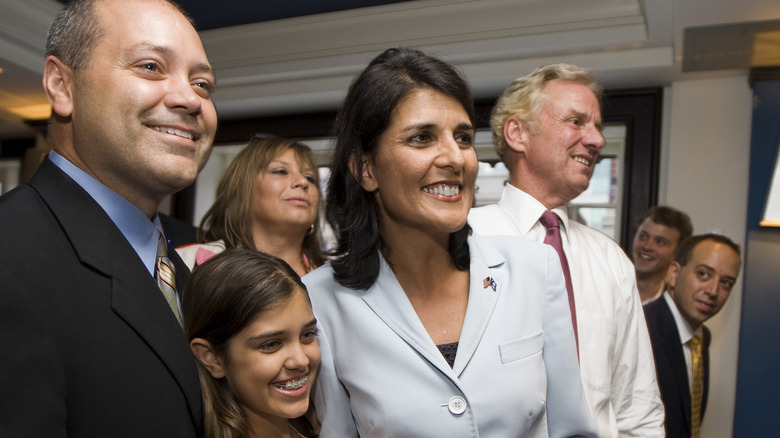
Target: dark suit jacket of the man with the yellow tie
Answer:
pixel 671 368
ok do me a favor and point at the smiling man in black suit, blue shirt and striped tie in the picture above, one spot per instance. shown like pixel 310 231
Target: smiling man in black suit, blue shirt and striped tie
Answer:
pixel 91 346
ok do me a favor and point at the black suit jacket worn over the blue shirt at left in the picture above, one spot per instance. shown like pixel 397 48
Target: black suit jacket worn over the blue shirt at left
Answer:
pixel 89 345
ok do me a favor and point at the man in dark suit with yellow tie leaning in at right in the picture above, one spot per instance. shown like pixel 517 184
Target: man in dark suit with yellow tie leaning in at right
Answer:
pixel 700 279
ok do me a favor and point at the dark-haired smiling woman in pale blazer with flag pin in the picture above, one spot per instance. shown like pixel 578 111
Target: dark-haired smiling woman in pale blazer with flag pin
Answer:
pixel 426 331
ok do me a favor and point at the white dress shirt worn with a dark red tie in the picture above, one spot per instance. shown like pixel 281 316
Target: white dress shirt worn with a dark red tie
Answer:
pixel 616 366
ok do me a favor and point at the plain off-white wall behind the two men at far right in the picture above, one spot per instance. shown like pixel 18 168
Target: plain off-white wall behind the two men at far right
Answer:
pixel 705 173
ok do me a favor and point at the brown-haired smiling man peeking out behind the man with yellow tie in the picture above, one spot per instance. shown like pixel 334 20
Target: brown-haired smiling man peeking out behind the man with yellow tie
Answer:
pixel 659 232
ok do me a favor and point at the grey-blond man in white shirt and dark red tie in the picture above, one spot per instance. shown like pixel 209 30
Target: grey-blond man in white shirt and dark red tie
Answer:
pixel 547 130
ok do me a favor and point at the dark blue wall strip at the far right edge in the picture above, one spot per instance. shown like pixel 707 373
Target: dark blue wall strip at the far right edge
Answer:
pixel 759 388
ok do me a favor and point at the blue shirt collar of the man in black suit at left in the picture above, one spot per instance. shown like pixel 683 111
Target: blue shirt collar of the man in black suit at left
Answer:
pixel 138 229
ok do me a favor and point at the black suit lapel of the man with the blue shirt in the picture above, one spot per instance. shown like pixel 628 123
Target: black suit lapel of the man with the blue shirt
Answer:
pixel 135 296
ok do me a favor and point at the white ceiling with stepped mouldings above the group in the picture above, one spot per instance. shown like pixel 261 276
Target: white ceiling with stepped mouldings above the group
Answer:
pixel 306 63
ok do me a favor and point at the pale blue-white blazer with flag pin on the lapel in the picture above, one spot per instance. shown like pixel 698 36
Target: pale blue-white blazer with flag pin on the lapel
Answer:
pixel 515 374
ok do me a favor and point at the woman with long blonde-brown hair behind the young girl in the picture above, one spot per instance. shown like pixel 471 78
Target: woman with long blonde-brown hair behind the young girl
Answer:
pixel 267 200
